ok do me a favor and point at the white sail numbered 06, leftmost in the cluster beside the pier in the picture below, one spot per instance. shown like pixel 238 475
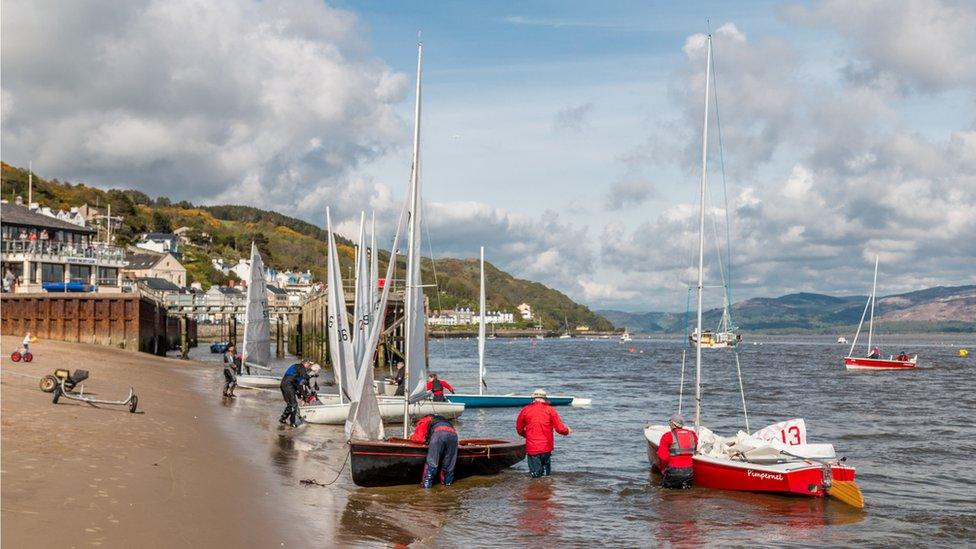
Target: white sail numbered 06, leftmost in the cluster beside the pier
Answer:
pixel 340 344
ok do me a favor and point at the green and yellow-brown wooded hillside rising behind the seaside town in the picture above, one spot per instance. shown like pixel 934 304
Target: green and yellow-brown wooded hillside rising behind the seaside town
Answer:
pixel 286 243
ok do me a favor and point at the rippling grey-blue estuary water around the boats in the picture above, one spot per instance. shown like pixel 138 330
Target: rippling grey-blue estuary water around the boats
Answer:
pixel 910 434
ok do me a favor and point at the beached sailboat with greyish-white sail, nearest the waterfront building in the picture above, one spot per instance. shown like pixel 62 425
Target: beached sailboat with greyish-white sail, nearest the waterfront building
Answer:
pixel 257 329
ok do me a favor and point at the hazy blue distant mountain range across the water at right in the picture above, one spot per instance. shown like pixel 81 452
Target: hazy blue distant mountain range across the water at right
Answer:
pixel 942 308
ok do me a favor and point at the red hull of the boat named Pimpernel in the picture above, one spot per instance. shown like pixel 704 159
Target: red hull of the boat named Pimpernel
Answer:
pixel 799 478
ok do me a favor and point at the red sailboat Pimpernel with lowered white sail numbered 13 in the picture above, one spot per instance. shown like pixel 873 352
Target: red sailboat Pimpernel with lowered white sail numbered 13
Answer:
pixel 776 459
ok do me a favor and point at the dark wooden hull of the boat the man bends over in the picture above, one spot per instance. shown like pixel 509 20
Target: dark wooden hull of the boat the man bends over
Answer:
pixel 401 462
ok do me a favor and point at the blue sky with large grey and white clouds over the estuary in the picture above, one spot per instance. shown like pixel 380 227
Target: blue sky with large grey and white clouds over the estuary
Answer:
pixel 565 137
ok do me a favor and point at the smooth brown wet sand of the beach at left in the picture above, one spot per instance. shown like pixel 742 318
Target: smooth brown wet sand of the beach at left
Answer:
pixel 171 475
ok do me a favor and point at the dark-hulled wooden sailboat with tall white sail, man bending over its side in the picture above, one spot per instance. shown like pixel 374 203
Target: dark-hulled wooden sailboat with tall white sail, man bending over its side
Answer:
pixel 395 461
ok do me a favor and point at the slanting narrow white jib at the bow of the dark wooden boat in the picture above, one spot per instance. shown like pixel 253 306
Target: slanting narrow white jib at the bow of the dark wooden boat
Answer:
pixel 365 420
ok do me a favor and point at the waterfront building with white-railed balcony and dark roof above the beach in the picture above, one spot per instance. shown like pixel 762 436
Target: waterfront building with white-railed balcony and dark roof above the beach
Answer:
pixel 42 252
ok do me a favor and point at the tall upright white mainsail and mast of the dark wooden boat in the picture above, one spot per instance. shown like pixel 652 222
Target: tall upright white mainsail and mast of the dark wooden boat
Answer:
pixel 415 324
